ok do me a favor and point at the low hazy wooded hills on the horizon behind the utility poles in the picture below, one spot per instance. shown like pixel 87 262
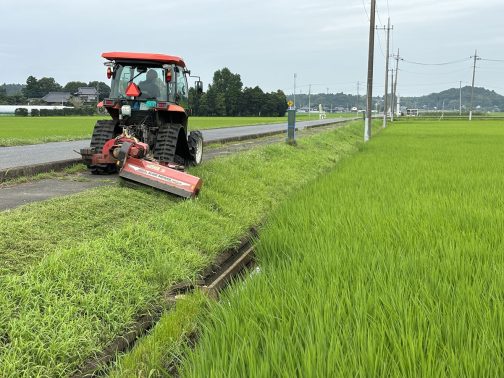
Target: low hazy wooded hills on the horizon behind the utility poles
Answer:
pixel 483 98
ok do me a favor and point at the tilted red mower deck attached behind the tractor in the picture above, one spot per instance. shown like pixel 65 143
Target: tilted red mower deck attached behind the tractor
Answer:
pixel 161 177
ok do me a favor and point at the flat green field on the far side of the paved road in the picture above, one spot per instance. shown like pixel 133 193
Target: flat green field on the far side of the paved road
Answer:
pixel 31 130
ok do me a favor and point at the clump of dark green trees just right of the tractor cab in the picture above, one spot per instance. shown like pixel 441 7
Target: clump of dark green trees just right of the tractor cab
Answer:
pixel 226 96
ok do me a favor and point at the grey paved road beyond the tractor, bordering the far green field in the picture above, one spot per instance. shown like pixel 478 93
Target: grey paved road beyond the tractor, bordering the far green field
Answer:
pixel 18 156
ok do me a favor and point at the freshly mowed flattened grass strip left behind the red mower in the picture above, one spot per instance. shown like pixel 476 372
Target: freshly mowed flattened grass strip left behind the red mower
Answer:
pixel 30 232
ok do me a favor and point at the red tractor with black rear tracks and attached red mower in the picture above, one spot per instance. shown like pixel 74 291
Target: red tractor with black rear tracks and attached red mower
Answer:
pixel 147 139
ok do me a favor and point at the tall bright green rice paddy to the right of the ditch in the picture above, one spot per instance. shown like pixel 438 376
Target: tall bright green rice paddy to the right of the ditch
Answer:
pixel 392 265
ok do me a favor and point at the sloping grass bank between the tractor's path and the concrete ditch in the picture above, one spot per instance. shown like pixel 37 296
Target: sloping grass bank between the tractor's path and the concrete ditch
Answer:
pixel 81 295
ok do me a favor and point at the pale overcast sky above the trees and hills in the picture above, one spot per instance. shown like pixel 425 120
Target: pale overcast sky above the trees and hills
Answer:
pixel 324 41
